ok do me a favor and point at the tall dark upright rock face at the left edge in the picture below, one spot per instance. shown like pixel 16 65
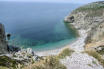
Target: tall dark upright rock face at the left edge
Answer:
pixel 3 43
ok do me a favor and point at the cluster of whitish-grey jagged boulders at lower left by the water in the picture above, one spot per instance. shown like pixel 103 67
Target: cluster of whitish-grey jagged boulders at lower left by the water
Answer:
pixel 26 54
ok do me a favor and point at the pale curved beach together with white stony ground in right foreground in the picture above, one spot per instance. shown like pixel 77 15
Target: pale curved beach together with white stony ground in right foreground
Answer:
pixel 78 60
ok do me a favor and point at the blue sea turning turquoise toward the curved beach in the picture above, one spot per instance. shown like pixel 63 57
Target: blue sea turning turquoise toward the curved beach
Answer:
pixel 39 26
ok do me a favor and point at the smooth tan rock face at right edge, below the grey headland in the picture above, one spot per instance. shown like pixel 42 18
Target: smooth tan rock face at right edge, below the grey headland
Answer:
pixel 96 34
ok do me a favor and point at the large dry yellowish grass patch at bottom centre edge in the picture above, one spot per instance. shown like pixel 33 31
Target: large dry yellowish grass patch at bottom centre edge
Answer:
pixel 51 62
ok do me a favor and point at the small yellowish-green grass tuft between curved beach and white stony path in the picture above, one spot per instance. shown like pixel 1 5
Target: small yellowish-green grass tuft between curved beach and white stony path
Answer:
pixel 65 52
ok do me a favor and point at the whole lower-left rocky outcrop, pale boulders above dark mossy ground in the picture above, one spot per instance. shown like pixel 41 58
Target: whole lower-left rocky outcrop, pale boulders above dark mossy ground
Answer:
pixel 19 59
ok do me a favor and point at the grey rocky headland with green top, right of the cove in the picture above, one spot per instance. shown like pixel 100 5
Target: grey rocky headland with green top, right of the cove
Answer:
pixel 89 17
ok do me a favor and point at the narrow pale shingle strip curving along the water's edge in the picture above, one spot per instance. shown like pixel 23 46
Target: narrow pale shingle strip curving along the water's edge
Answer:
pixel 76 45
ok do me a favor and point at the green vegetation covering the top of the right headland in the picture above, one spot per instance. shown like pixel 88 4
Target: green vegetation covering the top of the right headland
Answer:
pixel 93 9
